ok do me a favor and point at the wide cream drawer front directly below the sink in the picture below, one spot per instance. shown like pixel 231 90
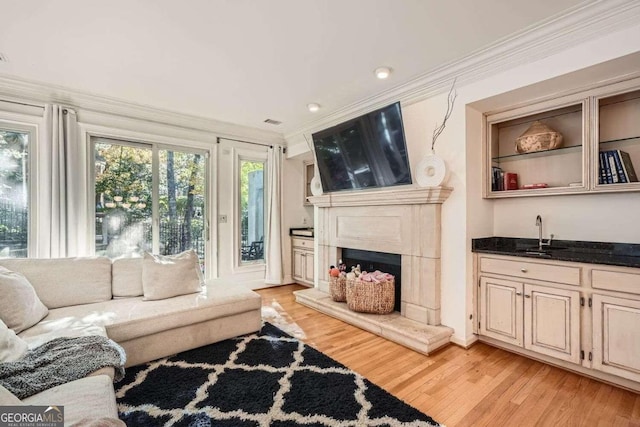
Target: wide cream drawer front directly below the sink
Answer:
pixel 531 270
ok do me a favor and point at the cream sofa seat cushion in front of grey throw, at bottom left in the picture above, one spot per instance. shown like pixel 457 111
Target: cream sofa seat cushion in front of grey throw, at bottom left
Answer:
pixel 87 397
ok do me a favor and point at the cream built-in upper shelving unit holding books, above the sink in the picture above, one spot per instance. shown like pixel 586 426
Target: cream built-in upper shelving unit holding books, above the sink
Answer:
pixel 600 144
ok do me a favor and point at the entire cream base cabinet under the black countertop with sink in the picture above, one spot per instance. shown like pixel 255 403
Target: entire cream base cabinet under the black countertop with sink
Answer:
pixel 584 317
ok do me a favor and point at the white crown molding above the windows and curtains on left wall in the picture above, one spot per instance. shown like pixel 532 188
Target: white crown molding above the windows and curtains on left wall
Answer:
pixel 37 94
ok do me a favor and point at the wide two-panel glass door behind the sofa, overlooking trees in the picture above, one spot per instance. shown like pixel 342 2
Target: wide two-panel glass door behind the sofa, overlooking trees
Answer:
pixel 149 198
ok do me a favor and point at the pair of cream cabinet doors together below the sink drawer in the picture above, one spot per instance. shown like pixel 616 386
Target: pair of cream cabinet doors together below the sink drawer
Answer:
pixel 538 318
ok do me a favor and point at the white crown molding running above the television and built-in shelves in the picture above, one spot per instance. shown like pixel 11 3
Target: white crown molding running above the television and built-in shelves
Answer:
pixel 586 21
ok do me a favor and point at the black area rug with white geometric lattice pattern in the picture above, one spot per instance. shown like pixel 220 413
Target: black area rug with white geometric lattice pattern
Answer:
pixel 262 379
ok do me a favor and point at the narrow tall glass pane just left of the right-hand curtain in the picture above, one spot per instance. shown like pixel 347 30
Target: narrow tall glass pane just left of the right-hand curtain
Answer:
pixel 251 211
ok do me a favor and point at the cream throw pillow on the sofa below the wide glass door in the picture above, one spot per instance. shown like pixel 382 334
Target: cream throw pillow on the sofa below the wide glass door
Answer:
pixel 171 275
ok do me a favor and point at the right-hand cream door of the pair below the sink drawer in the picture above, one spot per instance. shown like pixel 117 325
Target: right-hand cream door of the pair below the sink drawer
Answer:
pixel 552 322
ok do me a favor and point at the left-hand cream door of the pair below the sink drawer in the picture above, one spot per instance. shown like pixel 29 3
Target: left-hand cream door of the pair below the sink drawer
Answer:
pixel 501 310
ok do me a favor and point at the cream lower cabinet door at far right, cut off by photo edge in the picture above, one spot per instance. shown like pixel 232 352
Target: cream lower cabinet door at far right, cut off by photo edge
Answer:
pixel 616 336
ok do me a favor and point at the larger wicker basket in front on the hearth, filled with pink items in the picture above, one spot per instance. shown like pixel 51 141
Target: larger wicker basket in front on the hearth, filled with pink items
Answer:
pixel 369 297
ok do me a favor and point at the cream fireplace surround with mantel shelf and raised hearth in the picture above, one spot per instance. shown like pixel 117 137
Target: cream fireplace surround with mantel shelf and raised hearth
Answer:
pixel 400 220
